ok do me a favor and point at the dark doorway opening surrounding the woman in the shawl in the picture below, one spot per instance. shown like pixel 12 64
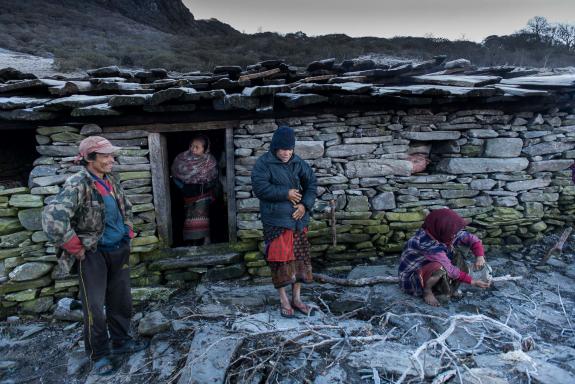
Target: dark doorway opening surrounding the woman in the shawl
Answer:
pixel 177 143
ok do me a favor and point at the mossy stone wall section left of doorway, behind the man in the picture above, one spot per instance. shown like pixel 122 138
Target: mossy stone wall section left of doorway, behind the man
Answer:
pixel 28 264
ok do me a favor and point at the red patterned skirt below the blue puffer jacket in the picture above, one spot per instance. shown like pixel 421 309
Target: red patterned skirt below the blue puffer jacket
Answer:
pixel 287 254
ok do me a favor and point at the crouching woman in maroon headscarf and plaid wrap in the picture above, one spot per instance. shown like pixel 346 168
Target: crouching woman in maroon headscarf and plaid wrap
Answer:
pixel 429 264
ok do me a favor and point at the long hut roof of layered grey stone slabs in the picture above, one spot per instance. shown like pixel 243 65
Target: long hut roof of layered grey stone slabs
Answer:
pixel 273 85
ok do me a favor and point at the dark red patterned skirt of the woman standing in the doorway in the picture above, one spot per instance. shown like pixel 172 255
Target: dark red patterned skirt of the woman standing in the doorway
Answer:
pixel 197 221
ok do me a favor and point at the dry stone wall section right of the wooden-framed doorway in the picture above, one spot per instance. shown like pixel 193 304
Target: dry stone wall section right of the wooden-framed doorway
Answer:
pixel 506 172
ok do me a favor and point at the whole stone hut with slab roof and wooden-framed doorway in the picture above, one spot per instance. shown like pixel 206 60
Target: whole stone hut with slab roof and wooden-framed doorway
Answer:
pixel 387 142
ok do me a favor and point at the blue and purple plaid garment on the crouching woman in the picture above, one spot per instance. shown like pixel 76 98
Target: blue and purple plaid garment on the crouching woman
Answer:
pixel 422 249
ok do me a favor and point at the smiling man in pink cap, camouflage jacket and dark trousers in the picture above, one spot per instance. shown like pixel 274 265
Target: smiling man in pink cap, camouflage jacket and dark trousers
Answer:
pixel 90 220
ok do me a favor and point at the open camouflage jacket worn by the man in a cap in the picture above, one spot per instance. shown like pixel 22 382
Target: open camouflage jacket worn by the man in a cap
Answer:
pixel 79 210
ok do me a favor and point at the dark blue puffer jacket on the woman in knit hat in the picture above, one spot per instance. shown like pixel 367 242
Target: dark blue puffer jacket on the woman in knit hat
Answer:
pixel 271 181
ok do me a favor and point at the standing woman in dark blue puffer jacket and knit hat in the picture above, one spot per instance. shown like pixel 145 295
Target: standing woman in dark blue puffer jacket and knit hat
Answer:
pixel 286 187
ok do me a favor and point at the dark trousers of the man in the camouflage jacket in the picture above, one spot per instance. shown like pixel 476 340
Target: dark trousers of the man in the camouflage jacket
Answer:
pixel 105 281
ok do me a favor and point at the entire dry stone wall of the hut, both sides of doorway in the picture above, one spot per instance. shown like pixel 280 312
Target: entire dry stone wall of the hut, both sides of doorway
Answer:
pixel 507 172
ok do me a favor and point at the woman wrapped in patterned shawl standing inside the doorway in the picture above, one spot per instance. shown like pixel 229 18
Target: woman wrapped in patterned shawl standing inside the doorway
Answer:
pixel 195 173
